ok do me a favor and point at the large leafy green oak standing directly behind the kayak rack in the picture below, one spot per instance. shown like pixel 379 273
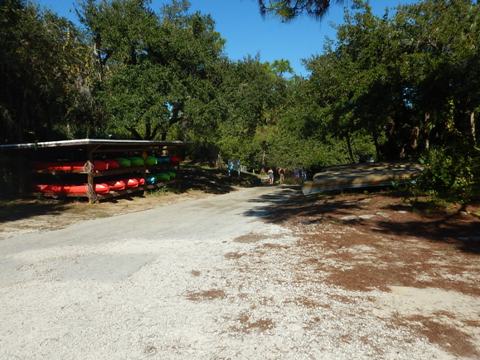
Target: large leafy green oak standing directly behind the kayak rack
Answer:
pixel 162 65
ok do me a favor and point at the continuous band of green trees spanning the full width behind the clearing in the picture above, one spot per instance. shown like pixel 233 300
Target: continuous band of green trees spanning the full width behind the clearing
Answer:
pixel 402 86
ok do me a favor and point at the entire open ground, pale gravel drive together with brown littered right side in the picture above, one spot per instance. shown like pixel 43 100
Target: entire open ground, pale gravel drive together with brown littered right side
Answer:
pixel 248 274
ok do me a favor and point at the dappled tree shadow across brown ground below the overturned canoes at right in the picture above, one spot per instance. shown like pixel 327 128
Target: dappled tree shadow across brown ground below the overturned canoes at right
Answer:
pixel 386 212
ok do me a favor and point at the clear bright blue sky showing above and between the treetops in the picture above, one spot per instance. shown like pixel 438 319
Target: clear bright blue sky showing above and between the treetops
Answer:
pixel 247 33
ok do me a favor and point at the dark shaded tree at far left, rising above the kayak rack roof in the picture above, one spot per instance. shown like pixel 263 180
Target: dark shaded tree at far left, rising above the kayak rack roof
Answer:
pixel 45 75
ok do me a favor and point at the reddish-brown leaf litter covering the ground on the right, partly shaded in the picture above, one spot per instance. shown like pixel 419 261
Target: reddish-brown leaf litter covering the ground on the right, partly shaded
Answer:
pixel 364 243
